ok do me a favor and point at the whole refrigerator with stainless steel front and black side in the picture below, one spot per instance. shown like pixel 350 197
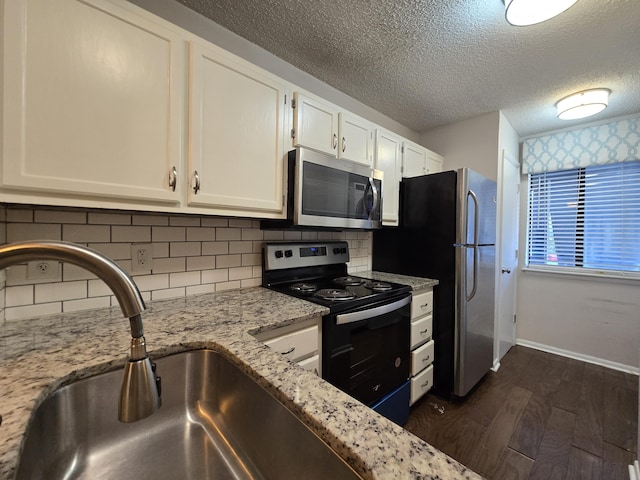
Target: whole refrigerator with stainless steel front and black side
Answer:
pixel 447 232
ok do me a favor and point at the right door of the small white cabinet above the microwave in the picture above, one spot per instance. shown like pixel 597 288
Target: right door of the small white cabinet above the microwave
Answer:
pixel 356 139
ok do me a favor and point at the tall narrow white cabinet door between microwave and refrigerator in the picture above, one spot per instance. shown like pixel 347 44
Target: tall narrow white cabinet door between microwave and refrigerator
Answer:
pixel 388 159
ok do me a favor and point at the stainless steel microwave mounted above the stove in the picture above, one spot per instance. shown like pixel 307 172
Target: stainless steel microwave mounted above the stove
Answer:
pixel 326 192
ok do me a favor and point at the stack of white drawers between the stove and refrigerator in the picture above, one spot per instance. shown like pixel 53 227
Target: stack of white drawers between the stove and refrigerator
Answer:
pixel 422 346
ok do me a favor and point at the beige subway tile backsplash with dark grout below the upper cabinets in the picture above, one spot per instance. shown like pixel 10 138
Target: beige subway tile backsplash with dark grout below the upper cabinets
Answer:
pixel 192 254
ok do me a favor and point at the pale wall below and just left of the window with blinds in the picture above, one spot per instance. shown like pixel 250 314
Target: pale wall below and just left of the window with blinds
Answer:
pixel 596 320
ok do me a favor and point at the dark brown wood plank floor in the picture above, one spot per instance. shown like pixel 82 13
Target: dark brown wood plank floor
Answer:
pixel 540 417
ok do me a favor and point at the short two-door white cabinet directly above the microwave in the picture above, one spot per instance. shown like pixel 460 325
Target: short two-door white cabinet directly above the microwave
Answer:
pixel 324 127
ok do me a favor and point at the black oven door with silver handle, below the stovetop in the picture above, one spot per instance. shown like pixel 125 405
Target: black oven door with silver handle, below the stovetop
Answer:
pixel 365 353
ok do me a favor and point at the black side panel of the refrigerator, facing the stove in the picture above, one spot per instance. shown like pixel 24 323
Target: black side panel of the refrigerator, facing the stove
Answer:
pixel 423 246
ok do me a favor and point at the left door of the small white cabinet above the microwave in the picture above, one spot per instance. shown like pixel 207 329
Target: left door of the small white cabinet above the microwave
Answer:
pixel 315 125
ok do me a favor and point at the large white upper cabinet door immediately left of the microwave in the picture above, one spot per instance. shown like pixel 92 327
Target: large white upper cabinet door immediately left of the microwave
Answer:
pixel 236 128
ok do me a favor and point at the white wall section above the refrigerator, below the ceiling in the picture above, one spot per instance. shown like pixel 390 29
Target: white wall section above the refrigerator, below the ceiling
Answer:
pixel 470 143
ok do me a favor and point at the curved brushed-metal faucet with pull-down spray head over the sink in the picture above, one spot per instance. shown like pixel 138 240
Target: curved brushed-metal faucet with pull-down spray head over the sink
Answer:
pixel 140 391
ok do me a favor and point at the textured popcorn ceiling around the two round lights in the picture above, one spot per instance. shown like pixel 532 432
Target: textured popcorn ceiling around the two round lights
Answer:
pixel 427 63
